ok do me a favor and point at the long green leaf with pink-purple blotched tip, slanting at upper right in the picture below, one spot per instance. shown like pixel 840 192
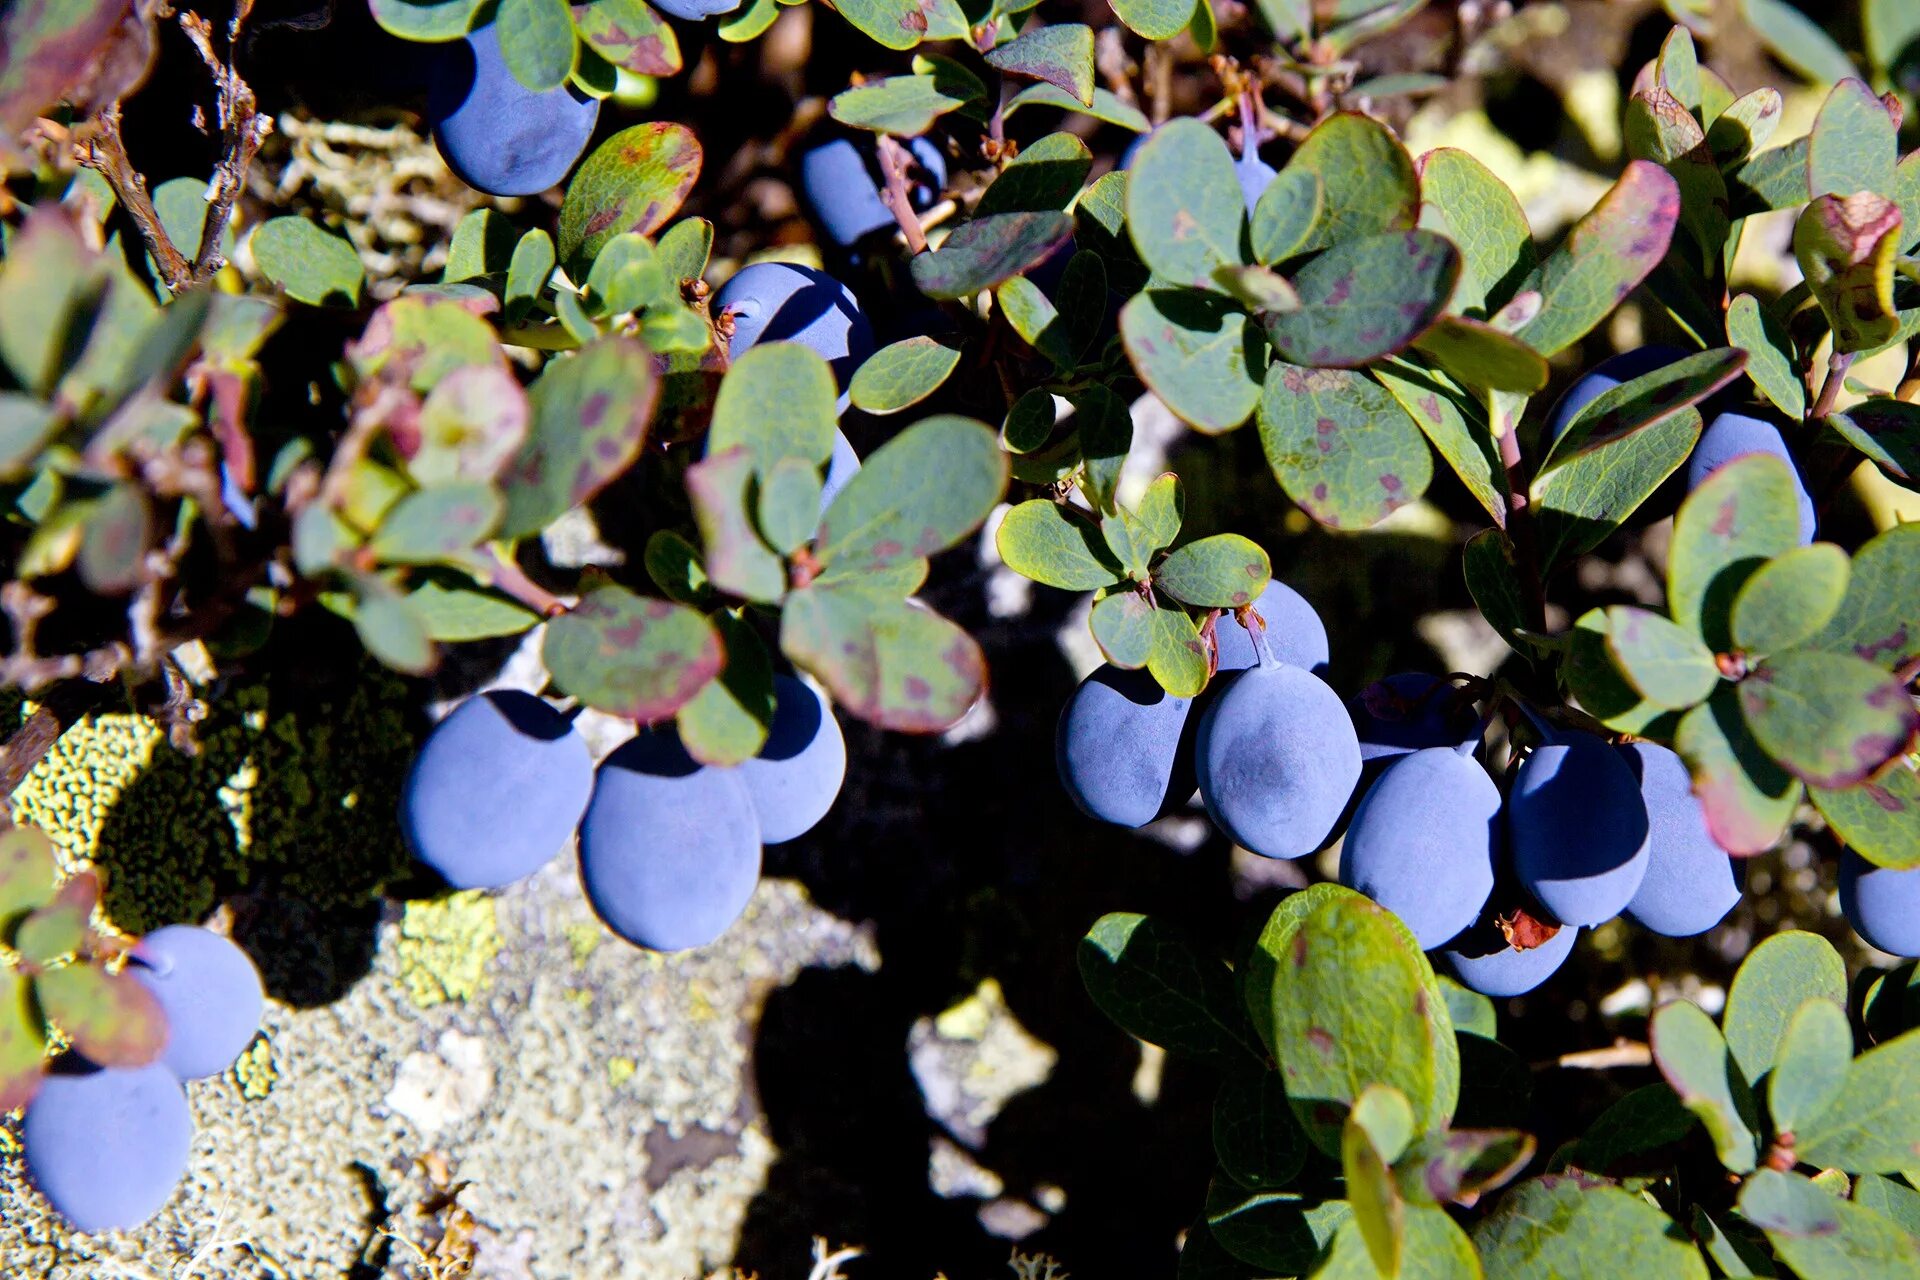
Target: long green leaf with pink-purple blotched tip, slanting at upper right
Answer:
pixel 1604 258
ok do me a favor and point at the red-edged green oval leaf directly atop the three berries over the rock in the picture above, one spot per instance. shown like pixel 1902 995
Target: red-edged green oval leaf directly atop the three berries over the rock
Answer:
pixel 633 657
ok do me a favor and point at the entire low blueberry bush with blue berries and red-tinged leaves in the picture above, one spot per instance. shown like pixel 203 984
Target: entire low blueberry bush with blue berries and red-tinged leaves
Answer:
pixel 226 423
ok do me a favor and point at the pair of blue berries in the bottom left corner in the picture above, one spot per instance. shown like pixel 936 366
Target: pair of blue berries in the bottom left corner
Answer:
pixel 108 1145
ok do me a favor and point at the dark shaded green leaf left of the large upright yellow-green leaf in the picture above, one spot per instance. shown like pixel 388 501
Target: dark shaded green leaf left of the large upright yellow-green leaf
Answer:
pixel 1157 987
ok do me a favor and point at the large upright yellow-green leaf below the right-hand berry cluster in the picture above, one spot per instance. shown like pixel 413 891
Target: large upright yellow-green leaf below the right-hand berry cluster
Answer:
pixel 1333 1047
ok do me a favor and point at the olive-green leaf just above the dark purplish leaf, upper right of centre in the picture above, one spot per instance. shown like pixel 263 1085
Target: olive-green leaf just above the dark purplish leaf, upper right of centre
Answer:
pixel 1368 179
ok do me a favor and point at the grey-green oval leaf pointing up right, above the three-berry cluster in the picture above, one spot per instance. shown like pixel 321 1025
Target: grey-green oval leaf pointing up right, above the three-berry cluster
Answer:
pixel 919 494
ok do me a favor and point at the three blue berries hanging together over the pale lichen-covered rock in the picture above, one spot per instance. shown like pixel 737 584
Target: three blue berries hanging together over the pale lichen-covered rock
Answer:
pixel 669 847
